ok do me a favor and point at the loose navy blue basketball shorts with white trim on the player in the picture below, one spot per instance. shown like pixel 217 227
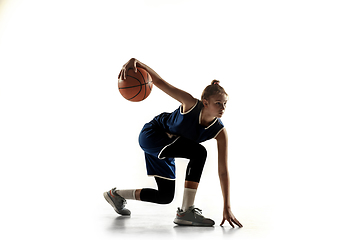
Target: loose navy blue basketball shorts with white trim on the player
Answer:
pixel 153 140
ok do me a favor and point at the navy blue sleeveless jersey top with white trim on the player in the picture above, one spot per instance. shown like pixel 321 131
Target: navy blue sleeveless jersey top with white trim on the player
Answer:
pixel 188 124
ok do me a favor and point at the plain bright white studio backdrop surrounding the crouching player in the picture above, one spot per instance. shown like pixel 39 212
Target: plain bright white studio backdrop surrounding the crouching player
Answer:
pixel 291 69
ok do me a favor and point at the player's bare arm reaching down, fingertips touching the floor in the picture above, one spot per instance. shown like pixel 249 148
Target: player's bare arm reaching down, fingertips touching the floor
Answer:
pixel 222 142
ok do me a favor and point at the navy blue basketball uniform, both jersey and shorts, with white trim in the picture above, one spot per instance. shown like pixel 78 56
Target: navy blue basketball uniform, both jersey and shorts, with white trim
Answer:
pixel 165 129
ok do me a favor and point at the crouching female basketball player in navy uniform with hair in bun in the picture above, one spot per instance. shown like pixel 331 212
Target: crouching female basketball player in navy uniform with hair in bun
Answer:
pixel 179 134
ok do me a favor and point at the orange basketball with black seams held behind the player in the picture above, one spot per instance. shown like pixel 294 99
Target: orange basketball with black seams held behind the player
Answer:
pixel 137 86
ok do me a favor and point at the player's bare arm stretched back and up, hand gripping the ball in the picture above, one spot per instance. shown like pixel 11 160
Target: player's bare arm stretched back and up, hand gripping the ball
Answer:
pixel 185 98
